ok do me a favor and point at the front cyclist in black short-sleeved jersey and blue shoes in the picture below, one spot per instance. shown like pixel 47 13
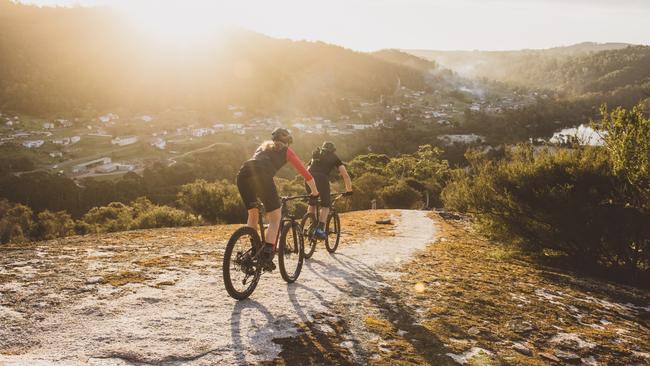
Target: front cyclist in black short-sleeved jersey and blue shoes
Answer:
pixel 324 160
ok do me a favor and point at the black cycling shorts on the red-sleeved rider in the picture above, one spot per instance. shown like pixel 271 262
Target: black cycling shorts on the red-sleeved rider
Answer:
pixel 253 184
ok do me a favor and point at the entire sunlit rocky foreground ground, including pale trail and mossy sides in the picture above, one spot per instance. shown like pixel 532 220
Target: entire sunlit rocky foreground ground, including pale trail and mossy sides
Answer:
pixel 156 297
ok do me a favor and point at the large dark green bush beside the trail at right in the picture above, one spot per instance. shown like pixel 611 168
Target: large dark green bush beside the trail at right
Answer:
pixel 566 200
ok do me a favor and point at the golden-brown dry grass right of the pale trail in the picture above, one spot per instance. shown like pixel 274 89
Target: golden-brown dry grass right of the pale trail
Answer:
pixel 481 294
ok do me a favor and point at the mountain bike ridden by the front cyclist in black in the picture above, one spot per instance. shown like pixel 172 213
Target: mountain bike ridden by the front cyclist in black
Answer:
pixel 332 227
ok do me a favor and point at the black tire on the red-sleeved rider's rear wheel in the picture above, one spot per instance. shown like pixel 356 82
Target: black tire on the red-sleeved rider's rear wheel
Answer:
pixel 228 261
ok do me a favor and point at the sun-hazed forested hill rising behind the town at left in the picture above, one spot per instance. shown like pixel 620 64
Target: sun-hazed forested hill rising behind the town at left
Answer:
pixel 65 59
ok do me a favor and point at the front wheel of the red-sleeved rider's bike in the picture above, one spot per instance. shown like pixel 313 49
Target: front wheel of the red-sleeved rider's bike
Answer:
pixel 290 253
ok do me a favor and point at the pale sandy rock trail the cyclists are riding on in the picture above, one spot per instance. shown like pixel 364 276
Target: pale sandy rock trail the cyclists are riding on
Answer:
pixel 195 322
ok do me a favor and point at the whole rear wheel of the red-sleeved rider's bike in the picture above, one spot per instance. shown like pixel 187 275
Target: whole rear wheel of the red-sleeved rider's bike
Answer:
pixel 241 267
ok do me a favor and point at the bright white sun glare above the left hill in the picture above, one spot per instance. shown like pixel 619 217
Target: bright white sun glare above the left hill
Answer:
pixel 177 21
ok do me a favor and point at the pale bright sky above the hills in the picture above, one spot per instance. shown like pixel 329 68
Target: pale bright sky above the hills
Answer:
pixel 368 25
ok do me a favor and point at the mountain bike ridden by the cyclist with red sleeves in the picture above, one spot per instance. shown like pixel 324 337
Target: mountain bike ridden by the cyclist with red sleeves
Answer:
pixel 242 259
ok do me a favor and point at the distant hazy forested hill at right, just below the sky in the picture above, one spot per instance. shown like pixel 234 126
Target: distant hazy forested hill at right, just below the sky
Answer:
pixel 613 72
